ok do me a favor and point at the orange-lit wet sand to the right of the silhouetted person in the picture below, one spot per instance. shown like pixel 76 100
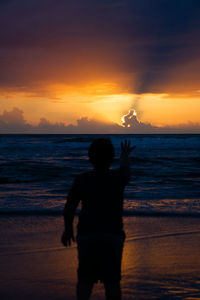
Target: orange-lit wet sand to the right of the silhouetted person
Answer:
pixel 161 259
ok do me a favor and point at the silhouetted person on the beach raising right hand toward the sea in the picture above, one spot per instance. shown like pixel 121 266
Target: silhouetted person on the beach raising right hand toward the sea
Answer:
pixel 100 235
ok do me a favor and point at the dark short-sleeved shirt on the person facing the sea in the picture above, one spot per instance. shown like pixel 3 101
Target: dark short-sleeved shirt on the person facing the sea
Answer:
pixel 101 194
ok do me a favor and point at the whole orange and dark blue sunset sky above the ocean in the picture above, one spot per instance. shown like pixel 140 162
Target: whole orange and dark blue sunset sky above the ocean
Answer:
pixel 79 66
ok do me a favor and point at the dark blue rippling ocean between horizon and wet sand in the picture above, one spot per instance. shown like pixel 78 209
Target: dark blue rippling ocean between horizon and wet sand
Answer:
pixel 36 172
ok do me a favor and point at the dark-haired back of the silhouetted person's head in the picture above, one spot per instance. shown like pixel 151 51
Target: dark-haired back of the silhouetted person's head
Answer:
pixel 101 153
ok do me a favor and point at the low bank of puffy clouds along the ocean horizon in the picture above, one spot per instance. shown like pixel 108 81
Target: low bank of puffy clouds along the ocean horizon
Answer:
pixel 14 122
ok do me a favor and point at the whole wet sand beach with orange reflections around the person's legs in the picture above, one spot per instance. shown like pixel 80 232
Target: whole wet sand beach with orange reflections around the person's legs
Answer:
pixel 161 259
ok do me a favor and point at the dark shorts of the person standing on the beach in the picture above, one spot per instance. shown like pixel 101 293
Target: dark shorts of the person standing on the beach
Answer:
pixel 100 257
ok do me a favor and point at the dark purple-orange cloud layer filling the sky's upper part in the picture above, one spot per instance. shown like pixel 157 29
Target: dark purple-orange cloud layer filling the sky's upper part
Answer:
pixel 60 40
